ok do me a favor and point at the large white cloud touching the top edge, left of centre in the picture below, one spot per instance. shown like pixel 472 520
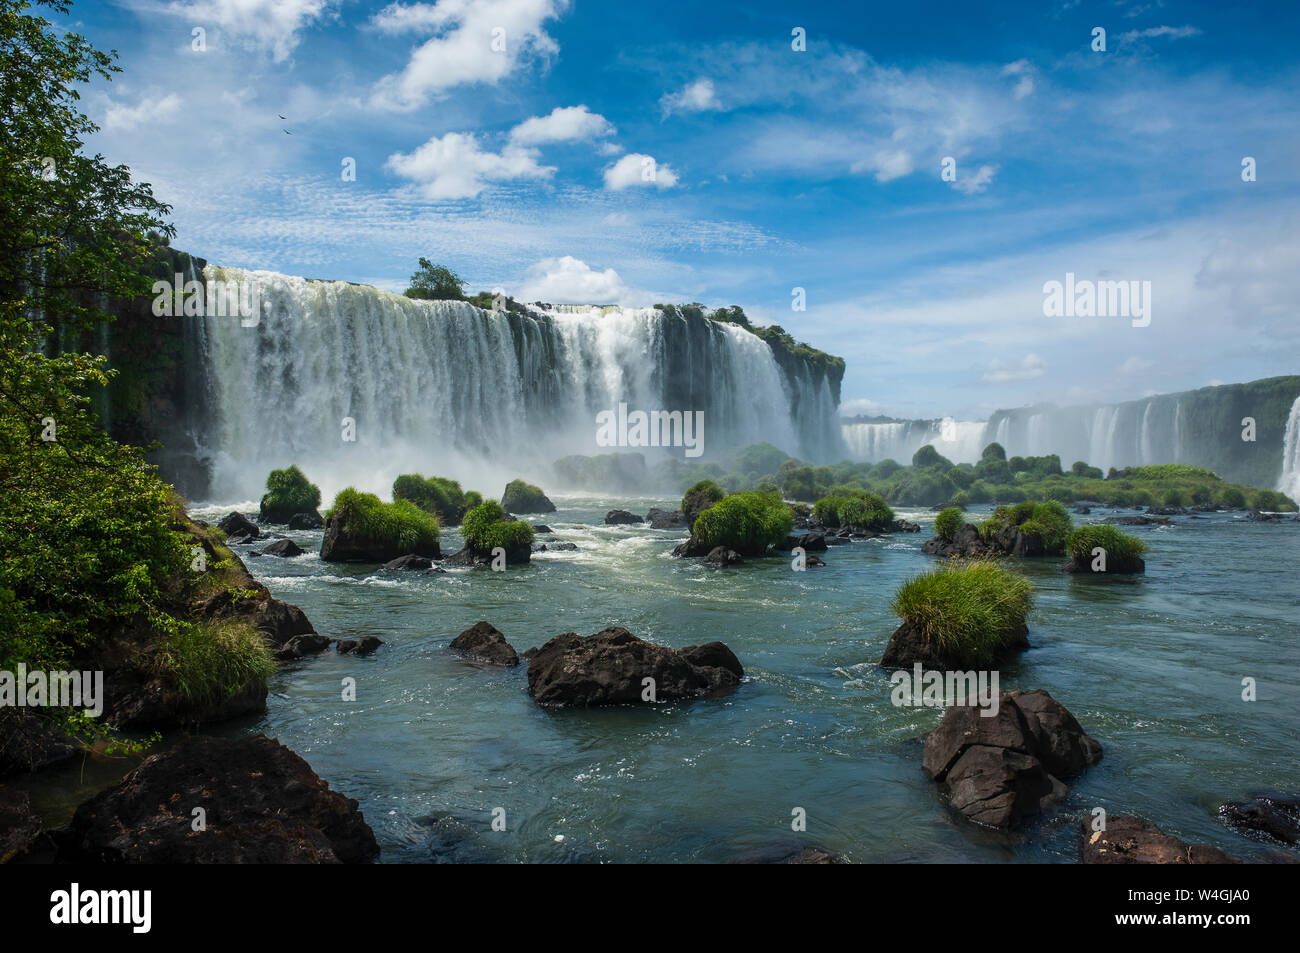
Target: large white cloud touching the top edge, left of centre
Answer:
pixel 476 42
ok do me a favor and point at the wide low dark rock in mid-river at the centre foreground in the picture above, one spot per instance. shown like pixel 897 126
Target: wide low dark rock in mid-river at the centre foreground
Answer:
pixel 610 668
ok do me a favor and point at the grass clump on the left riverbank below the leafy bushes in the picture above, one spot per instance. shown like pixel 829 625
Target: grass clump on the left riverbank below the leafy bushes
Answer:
pixel 213 661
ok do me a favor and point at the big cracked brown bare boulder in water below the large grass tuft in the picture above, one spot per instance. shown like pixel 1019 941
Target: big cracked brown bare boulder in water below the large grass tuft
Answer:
pixel 998 772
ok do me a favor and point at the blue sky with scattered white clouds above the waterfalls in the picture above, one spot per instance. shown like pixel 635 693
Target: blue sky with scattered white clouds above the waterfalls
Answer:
pixel 913 176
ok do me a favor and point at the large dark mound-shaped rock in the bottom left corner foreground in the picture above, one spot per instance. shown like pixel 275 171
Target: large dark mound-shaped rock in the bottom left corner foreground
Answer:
pixel 263 804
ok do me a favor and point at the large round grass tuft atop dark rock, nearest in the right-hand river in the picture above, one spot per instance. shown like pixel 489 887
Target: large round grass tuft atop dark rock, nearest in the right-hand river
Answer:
pixel 970 612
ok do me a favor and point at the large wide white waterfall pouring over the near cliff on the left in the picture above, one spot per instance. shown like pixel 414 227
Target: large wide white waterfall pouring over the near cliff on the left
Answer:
pixel 480 396
